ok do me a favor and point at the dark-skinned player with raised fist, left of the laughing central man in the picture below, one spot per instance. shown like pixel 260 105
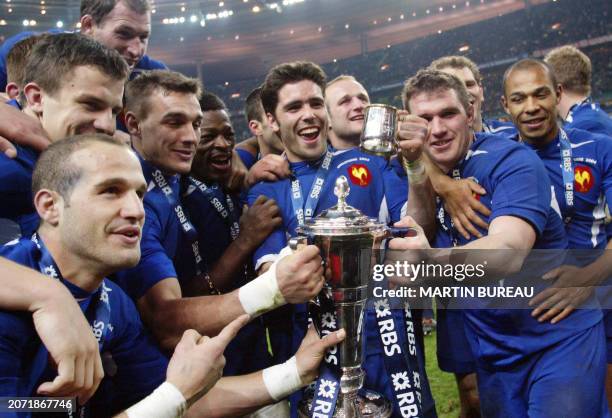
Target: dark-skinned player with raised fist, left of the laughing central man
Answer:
pixel 227 235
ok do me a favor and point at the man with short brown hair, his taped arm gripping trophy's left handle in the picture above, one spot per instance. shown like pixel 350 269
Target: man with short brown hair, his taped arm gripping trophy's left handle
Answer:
pixel 164 117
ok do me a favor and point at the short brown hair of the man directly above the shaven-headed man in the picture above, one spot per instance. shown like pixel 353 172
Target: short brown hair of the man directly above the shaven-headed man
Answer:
pixel 54 58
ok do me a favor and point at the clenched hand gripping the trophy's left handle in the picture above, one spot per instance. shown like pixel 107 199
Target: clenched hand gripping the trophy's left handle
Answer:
pixel 300 275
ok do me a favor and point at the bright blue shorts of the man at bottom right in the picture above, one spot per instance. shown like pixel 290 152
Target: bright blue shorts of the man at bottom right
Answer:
pixel 565 380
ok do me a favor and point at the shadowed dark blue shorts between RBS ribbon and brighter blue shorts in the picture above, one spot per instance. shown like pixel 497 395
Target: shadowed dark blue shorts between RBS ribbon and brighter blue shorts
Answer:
pixel 454 351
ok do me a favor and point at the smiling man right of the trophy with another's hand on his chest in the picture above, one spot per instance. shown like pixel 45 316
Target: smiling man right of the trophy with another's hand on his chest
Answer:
pixel 524 367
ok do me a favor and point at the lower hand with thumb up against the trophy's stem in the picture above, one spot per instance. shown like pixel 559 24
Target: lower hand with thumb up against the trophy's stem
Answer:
pixel 312 351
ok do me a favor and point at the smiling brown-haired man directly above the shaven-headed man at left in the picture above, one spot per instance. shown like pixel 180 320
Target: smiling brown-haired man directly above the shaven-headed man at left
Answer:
pixel 72 85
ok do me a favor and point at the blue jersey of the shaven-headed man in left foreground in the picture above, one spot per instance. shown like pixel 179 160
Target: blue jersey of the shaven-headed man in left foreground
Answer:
pixel 25 363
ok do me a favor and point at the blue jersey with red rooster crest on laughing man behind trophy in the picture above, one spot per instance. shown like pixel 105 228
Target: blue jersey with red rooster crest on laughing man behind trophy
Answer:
pixel 371 197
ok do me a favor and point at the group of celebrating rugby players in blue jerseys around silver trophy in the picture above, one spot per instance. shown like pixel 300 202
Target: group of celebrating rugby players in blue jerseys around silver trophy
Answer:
pixel 183 297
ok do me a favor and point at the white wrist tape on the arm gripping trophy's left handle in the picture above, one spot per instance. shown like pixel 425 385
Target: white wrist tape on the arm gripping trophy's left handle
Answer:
pixel 262 294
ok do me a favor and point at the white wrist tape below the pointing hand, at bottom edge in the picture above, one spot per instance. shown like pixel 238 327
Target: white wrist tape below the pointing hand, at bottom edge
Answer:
pixel 165 402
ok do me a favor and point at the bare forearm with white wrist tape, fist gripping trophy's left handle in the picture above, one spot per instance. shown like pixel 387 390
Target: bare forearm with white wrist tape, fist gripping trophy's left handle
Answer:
pixel 295 278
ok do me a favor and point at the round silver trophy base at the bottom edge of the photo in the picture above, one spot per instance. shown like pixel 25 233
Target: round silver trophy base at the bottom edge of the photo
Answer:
pixel 368 405
